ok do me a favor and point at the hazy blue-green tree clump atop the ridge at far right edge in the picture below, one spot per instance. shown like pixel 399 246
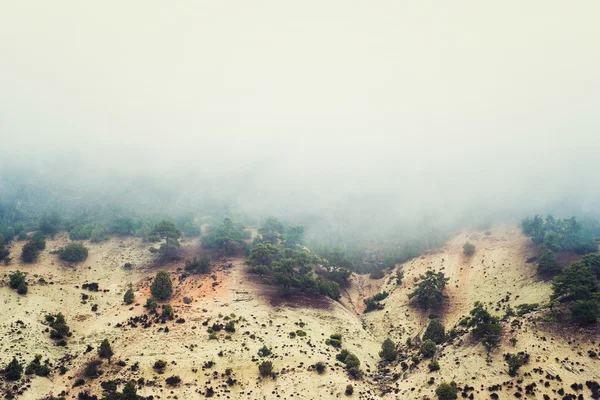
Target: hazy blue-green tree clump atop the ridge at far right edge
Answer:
pixel 567 234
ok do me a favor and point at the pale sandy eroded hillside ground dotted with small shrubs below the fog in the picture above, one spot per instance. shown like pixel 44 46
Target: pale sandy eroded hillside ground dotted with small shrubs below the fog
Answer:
pixel 496 270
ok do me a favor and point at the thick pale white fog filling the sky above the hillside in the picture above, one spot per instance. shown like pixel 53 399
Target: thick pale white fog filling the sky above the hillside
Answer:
pixel 364 111
